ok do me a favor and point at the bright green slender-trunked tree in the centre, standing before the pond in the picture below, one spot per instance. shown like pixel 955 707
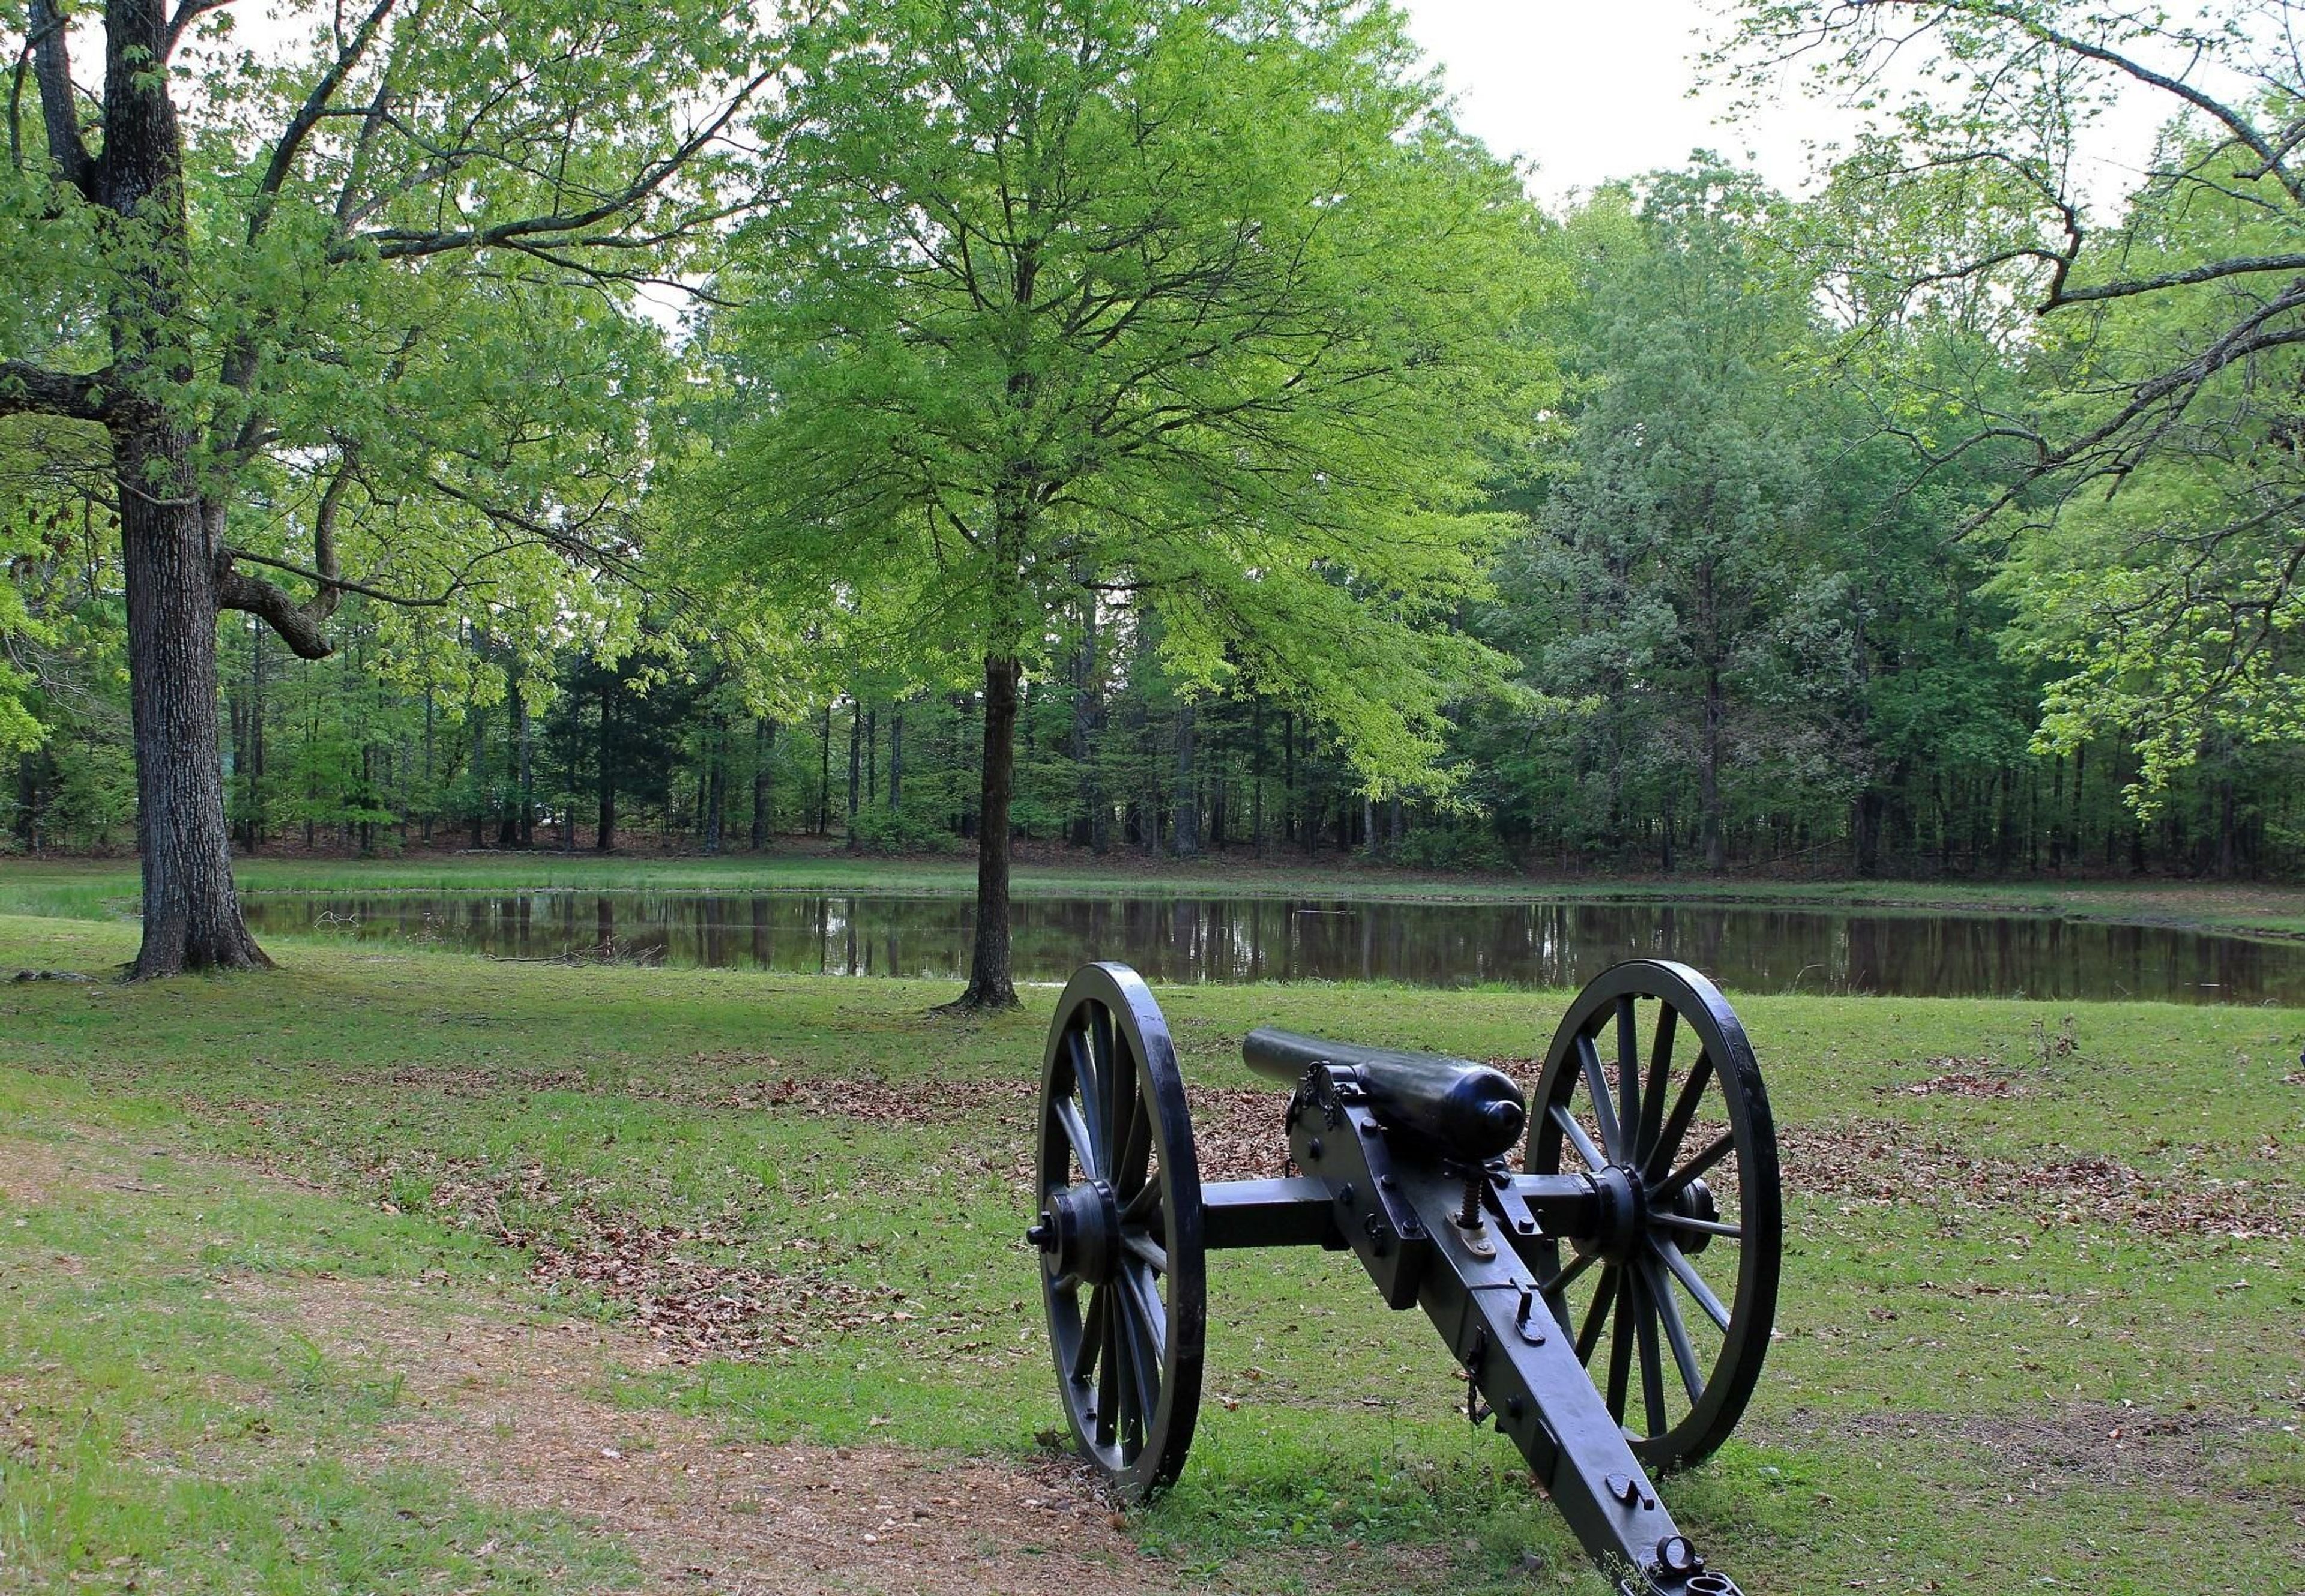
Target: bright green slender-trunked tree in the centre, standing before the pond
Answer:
pixel 1061 303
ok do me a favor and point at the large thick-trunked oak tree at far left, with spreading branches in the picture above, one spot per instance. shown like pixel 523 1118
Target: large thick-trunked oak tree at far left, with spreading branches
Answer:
pixel 328 273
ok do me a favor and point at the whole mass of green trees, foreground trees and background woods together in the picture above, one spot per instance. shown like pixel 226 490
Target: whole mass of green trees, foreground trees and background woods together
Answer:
pixel 1138 426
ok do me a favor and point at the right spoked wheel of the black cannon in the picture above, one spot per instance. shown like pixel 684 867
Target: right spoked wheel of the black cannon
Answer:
pixel 1654 1090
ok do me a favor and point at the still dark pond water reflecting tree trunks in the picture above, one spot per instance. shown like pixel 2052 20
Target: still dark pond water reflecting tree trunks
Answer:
pixel 1184 940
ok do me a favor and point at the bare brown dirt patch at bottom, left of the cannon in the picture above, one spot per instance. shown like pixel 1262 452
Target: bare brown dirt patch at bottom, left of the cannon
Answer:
pixel 506 1408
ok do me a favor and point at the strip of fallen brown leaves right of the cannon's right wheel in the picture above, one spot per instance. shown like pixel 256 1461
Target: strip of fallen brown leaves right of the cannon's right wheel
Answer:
pixel 1882 1164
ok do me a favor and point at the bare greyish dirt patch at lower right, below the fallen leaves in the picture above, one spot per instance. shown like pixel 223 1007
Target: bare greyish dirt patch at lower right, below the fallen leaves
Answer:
pixel 2099 1445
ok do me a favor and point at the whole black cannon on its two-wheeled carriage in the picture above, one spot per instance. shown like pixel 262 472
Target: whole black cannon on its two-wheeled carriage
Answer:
pixel 1610 1302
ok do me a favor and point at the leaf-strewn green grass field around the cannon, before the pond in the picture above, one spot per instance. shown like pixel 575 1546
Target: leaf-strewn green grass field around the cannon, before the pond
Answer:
pixel 423 1272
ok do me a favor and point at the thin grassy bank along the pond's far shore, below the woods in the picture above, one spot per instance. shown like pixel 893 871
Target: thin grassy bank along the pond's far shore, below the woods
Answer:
pixel 93 889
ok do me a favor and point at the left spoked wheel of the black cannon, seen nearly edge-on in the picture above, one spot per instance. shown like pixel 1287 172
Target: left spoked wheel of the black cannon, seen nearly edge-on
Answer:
pixel 1121 1230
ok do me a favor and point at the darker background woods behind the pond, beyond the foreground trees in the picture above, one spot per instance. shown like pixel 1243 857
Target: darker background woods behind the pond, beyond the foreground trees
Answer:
pixel 1739 638
